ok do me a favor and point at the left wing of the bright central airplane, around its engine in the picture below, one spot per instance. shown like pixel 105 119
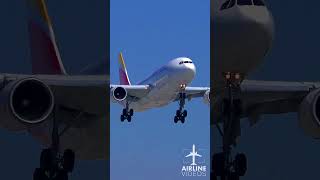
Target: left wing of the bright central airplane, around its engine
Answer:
pixel 133 91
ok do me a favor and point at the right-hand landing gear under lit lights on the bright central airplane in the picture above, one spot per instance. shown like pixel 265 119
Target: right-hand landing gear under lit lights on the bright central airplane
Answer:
pixel 181 113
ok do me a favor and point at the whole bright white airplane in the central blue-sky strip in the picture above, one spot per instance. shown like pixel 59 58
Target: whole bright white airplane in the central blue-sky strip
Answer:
pixel 166 85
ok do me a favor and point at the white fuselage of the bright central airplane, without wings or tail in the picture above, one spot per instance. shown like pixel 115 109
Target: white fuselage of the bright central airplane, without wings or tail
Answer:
pixel 165 84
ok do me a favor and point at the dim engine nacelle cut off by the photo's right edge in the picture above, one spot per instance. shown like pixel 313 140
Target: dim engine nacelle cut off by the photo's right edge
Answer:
pixel 309 114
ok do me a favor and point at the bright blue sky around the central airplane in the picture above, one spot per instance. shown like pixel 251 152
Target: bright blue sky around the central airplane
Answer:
pixel 151 33
